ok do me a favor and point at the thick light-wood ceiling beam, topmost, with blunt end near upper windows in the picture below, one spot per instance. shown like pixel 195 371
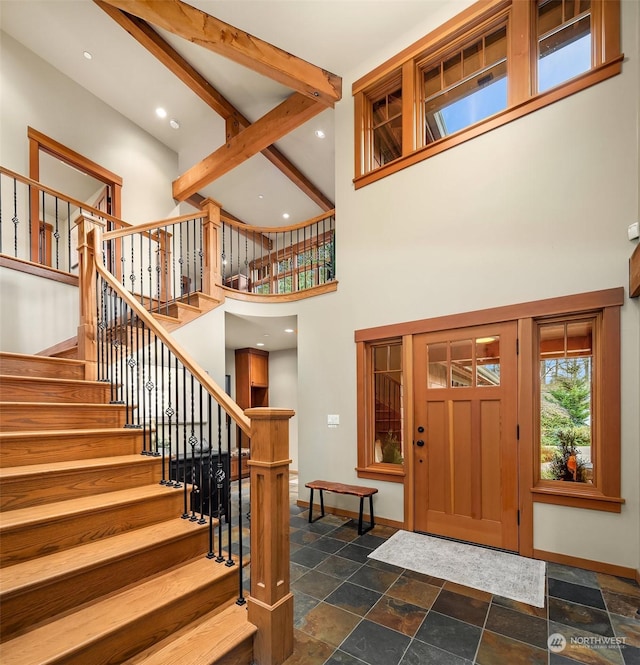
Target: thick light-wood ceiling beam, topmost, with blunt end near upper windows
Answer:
pixel 209 32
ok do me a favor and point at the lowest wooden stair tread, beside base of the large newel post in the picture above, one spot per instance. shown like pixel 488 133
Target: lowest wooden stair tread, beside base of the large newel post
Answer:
pixel 203 643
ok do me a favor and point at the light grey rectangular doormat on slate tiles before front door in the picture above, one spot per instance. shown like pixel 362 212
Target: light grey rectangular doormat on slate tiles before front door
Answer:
pixel 499 573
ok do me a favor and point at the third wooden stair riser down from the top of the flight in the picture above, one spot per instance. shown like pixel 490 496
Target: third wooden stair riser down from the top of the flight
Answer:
pixel 21 418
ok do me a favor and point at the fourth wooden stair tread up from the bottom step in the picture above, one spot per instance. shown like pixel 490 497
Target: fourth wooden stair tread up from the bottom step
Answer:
pixel 32 516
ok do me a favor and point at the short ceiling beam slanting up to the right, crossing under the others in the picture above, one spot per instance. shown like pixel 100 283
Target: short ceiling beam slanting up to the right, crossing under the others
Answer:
pixel 275 124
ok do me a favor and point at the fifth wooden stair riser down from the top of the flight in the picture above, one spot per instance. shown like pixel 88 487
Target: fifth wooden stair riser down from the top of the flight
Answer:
pixel 58 486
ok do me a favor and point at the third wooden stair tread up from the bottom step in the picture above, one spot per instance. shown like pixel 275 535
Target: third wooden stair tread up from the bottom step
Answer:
pixel 47 569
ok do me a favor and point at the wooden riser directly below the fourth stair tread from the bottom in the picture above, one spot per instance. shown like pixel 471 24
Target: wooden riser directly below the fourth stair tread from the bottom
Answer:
pixel 24 542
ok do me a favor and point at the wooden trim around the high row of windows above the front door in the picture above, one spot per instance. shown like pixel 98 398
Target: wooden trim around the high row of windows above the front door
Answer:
pixel 606 62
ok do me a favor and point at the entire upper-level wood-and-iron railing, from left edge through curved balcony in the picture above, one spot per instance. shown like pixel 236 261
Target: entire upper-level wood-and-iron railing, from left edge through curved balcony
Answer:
pixel 172 260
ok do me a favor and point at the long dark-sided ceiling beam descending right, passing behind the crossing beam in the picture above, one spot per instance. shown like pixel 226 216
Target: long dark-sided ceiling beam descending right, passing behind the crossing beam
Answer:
pixel 170 58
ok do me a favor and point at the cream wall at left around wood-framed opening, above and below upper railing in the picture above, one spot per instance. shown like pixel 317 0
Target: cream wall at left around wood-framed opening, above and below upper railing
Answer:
pixel 35 94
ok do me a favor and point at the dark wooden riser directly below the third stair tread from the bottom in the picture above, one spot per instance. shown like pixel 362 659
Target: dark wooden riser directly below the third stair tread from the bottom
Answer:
pixel 23 610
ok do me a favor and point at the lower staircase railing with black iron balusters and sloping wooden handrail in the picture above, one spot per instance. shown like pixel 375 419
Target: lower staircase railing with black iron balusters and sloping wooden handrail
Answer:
pixel 184 418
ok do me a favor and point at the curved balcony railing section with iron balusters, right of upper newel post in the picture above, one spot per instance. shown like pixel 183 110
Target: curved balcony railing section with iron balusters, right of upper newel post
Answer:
pixel 278 260
